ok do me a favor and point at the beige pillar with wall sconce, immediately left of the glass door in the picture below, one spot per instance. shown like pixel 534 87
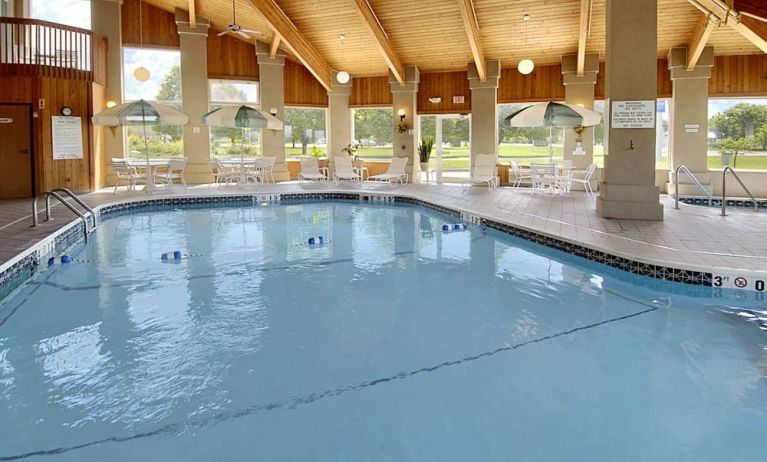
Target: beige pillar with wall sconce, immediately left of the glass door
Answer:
pixel 404 97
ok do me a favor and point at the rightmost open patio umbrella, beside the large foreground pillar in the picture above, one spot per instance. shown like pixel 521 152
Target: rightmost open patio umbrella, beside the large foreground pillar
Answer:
pixel 551 114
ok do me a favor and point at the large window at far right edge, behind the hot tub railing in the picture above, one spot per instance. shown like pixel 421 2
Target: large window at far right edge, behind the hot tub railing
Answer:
pixel 737 133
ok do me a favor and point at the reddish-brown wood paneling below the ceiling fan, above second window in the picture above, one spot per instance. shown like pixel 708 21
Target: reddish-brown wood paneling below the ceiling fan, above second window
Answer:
pixel 230 58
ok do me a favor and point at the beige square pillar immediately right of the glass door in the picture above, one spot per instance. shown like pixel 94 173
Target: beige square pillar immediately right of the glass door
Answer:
pixel 484 109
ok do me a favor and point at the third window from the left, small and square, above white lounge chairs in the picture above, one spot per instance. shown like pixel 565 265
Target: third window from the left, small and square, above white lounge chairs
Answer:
pixel 305 132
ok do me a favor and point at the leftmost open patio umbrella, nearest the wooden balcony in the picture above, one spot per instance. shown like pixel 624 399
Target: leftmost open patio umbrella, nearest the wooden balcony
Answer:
pixel 140 113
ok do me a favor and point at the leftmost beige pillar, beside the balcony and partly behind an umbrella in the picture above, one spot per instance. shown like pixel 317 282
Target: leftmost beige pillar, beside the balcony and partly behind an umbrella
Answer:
pixel 106 20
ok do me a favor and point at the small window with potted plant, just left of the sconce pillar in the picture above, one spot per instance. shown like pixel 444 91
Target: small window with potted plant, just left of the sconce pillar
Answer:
pixel 373 130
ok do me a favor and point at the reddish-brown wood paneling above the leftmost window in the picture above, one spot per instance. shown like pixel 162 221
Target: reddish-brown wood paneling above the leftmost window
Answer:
pixel 159 26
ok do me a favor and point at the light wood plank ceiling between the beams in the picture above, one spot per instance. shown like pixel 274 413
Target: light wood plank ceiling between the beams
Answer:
pixel 431 33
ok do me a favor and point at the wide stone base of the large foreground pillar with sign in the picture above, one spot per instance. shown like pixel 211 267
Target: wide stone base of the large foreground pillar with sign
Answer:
pixel 629 202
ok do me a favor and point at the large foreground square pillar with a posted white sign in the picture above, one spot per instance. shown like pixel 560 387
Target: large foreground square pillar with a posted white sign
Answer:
pixel 628 190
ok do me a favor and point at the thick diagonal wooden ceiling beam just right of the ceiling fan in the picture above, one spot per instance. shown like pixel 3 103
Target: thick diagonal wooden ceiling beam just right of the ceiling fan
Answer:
pixel 294 40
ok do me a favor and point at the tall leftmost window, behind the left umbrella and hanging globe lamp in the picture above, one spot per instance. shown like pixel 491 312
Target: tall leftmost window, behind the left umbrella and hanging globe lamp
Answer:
pixel 163 86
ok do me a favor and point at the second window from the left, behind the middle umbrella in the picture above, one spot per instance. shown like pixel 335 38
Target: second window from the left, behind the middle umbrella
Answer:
pixel 233 141
